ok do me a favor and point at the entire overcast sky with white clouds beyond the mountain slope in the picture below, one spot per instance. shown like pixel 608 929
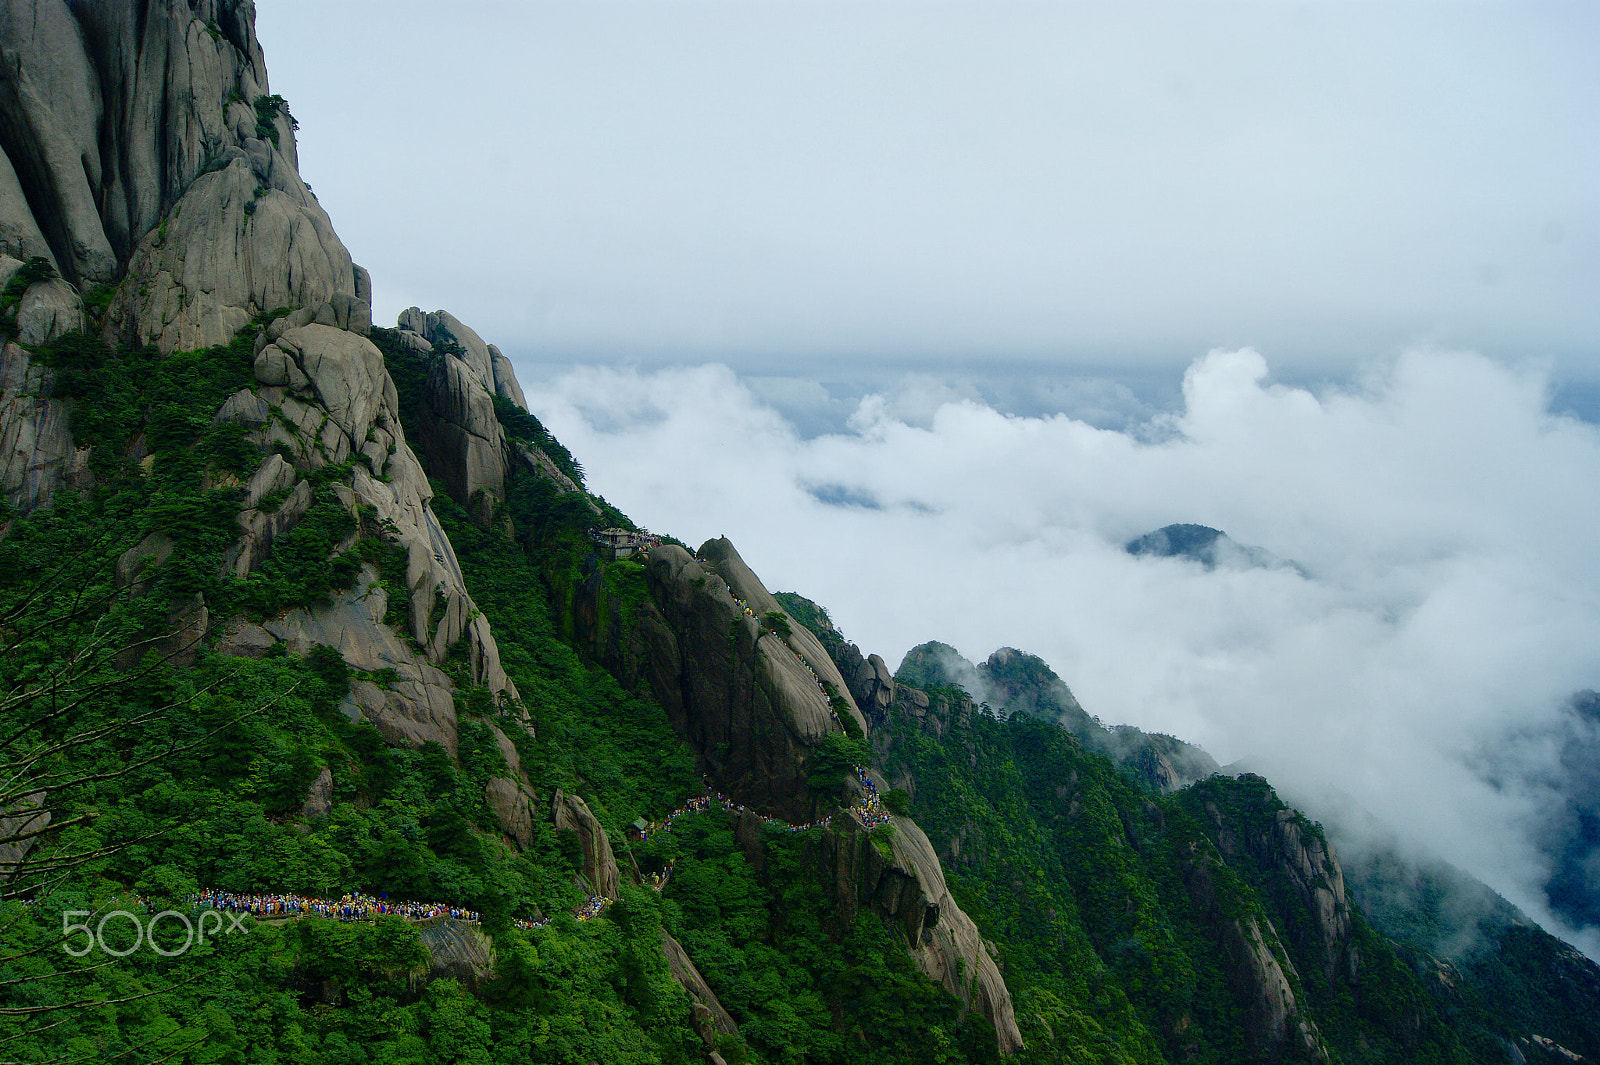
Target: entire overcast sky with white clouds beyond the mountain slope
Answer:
pixel 930 308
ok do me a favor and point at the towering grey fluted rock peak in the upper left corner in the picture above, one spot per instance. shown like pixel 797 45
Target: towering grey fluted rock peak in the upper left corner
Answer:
pixel 116 118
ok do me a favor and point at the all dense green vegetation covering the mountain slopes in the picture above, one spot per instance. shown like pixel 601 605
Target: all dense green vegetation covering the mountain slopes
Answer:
pixel 1108 907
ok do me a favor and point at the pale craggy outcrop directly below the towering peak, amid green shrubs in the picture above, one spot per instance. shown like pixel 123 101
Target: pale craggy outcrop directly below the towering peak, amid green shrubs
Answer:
pixel 326 399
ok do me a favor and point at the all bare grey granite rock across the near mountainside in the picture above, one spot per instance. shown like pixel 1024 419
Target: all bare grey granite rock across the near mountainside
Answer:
pixel 151 196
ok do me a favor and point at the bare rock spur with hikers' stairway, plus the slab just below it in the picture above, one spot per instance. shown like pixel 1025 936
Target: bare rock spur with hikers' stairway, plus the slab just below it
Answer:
pixel 750 700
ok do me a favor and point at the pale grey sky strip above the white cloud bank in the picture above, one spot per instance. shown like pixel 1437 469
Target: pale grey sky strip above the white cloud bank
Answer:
pixel 823 189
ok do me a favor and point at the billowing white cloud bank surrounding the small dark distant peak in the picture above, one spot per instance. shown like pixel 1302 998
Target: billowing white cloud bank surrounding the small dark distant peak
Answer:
pixel 1422 661
